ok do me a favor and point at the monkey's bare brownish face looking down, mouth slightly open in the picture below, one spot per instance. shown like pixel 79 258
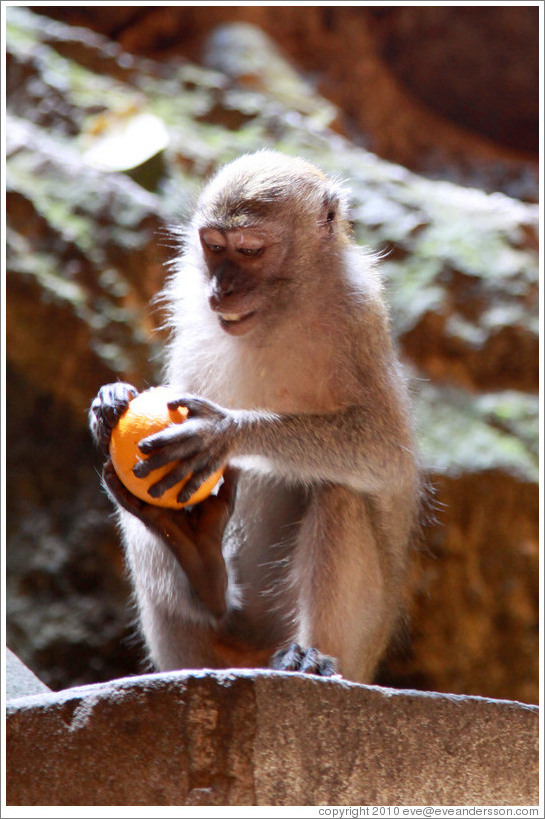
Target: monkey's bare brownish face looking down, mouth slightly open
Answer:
pixel 244 272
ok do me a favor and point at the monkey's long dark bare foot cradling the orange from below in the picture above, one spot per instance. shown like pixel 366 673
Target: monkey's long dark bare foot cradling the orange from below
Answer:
pixel 194 535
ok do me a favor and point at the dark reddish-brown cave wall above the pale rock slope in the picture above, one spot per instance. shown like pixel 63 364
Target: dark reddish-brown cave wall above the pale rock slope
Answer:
pixel 451 92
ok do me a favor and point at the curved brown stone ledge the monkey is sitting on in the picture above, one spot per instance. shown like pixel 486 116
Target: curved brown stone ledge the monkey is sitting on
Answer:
pixel 266 738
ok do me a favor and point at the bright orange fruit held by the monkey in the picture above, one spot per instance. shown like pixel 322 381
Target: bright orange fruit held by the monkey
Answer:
pixel 148 413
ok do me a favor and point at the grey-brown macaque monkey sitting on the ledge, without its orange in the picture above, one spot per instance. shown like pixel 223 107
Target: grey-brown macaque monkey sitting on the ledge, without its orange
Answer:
pixel 281 350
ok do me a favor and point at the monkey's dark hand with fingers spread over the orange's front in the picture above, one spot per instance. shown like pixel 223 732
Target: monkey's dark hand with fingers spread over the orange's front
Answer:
pixel 200 445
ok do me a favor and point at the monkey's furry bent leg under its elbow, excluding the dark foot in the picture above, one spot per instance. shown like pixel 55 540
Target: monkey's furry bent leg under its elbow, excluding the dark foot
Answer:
pixel 344 605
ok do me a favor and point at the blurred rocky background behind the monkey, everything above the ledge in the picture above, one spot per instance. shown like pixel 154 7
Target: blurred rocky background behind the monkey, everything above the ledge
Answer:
pixel 115 116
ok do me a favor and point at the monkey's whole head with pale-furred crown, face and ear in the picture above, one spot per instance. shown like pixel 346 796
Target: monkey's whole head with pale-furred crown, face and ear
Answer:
pixel 268 225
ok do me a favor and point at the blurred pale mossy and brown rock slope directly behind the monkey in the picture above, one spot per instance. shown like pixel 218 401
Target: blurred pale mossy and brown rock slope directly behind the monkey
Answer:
pixel 86 251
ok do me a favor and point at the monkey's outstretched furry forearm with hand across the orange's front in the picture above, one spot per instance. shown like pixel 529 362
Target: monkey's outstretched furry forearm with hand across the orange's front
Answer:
pixel 358 447
